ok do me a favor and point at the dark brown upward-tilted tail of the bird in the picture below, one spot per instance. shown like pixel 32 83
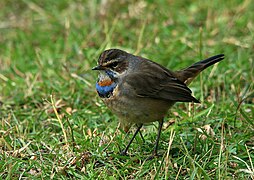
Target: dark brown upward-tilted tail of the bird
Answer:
pixel 188 74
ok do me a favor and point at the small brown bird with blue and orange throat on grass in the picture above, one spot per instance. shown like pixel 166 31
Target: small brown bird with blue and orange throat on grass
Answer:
pixel 140 91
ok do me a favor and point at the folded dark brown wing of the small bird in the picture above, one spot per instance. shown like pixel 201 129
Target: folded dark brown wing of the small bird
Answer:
pixel 155 81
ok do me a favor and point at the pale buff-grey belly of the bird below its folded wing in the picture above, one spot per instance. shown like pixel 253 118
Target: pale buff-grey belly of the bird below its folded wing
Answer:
pixel 136 110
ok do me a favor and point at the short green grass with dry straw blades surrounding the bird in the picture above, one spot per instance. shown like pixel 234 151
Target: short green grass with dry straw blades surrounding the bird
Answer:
pixel 53 125
